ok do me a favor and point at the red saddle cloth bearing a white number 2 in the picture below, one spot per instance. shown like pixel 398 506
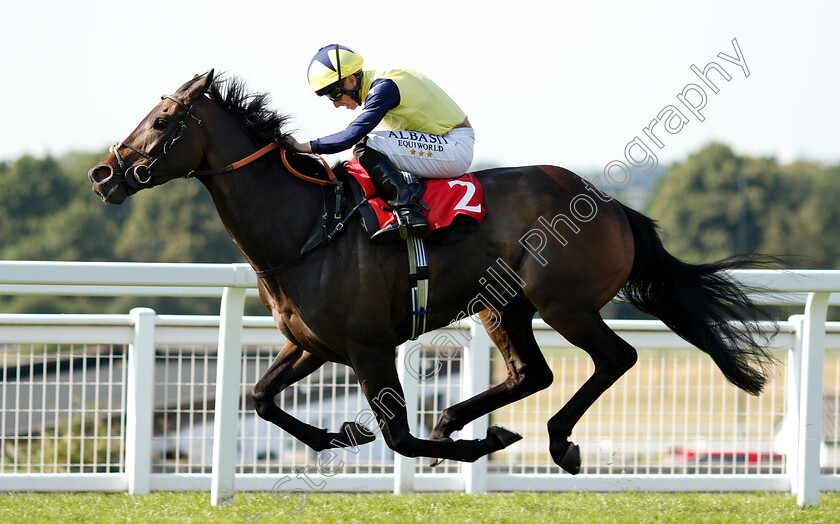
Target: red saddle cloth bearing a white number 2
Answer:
pixel 446 198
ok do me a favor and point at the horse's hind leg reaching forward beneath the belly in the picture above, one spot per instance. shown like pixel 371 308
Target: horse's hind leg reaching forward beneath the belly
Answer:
pixel 527 370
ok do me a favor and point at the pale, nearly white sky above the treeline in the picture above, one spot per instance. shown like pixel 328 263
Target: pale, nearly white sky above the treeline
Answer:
pixel 543 82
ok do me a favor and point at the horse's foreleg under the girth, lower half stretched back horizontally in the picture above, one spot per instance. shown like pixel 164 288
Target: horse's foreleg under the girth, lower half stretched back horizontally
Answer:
pixel 377 376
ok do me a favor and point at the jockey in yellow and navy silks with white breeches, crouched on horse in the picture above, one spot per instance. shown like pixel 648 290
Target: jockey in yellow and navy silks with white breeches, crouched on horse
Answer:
pixel 425 132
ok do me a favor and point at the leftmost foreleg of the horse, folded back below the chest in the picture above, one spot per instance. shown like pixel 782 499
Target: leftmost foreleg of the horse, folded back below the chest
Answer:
pixel 291 365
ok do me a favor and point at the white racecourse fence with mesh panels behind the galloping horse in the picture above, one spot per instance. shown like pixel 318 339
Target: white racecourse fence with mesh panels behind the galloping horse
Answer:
pixel 143 402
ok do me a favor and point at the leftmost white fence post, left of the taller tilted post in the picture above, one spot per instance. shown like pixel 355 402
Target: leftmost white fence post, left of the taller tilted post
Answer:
pixel 139 402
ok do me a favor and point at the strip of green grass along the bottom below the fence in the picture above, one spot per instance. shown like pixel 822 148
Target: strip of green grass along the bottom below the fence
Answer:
pixel 531 508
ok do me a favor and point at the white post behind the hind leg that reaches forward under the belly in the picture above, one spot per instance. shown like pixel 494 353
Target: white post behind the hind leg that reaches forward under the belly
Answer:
pixel 475 375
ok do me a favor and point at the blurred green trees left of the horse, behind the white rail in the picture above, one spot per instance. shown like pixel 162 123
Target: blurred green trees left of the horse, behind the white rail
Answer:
pixel 48 212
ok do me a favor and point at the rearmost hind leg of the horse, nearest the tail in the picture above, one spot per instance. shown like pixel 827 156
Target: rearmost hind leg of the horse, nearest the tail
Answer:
pixel 612 357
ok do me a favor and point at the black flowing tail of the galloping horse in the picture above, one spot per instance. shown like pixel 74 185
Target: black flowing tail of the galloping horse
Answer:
pixel 698 301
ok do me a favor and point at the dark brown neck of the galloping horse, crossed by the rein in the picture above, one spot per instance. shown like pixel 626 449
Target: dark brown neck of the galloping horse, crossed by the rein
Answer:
pixel 268 212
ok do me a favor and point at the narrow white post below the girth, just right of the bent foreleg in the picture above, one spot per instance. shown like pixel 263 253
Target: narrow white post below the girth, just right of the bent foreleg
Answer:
pixel 408 361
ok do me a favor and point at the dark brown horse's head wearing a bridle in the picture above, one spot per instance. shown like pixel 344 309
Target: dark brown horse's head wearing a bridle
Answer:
pixel 142 160
